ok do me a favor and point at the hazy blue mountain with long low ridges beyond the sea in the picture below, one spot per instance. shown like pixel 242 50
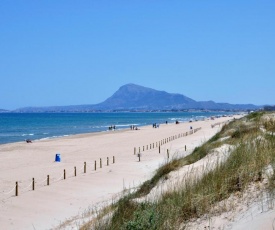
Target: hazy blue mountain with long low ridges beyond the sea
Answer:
pixel 135 97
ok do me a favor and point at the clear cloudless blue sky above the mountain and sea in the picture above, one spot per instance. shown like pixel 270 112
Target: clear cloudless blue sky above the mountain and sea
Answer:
pixel 68 52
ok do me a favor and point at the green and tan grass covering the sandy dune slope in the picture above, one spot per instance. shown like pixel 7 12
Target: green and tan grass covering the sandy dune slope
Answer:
pixel 253 141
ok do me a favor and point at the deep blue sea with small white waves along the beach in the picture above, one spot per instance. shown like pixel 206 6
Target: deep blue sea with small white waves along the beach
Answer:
pixel 15 127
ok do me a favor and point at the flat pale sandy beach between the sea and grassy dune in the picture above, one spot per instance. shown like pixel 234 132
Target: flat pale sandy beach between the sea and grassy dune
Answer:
pixel 48 206
